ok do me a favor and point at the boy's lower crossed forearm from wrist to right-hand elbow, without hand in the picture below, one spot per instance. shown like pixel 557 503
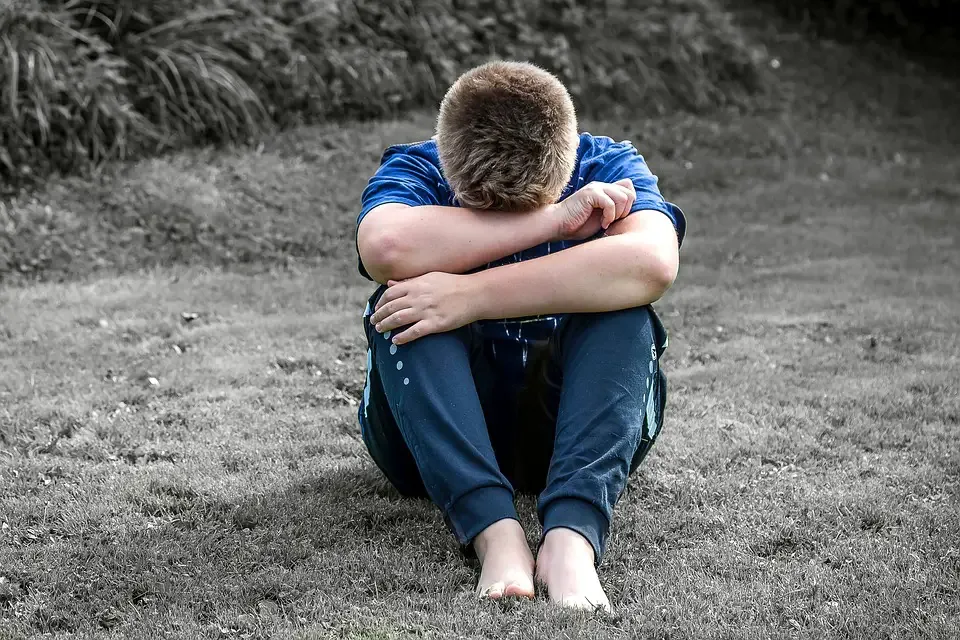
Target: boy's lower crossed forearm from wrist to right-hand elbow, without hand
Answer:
pixel 612 272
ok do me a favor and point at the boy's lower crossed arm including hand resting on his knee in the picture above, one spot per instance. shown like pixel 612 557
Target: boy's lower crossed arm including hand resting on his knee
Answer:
pixel 632 265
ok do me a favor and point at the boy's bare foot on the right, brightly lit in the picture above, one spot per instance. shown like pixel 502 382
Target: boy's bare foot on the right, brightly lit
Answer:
pixel 565 567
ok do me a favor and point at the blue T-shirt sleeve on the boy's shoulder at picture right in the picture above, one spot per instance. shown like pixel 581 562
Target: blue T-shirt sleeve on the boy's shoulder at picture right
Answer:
pixel 614 161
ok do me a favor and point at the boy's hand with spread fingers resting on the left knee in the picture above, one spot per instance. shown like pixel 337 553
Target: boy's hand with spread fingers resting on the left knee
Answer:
pixel 432 303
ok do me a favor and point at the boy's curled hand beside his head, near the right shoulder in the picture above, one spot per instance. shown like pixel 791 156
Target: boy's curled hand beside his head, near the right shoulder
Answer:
pixel 592 208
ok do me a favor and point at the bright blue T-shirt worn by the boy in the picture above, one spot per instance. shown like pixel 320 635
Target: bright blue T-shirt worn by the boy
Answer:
pixel 411 174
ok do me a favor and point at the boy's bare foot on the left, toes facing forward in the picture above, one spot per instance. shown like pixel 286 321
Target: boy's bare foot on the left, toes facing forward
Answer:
pixel 506 560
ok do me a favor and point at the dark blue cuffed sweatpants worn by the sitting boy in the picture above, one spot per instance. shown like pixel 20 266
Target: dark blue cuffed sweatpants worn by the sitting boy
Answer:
pixel 440 420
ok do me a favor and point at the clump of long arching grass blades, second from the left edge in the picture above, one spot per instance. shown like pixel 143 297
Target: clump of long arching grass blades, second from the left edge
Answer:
pixel 187 68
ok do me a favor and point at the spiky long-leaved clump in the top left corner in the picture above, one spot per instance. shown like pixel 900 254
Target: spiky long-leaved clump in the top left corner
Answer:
pixel 65 99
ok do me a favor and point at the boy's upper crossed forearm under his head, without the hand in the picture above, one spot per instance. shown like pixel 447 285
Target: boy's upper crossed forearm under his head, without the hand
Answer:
pixel 398 242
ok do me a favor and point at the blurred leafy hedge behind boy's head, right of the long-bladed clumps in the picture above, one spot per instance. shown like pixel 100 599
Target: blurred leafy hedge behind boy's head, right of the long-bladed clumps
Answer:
pixel 613 54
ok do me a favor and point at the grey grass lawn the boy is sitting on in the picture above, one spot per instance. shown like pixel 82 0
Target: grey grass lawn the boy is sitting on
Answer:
pixel 180 456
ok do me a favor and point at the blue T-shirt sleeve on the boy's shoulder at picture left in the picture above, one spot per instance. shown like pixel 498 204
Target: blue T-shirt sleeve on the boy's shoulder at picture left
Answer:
pixel 407 175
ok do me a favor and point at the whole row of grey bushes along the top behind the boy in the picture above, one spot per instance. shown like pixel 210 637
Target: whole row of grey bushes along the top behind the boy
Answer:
pixel 84 81
